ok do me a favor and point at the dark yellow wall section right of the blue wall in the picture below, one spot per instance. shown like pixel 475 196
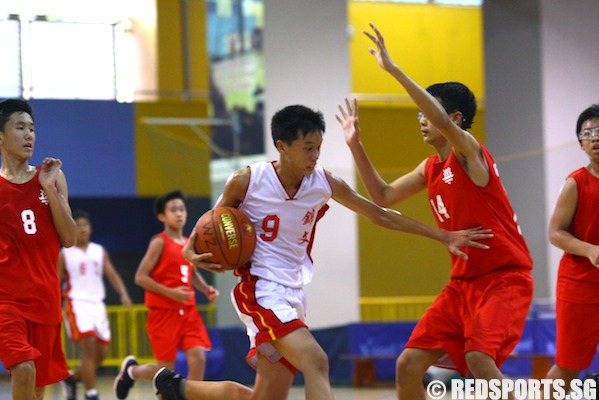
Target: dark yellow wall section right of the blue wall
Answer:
pixel 174 156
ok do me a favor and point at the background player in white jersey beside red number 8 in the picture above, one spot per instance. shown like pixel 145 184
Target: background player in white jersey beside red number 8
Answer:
pixel 82 268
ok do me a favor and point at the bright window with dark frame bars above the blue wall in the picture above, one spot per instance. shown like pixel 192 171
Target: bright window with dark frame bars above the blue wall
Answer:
pixel 58 60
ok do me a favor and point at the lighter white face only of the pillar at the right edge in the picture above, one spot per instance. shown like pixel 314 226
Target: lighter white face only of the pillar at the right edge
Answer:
pixel 570 60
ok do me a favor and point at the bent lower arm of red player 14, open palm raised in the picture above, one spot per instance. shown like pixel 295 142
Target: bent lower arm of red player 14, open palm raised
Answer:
pixel 380 192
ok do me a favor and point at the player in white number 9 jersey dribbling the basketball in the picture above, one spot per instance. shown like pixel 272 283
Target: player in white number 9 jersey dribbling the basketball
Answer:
pixel 284 199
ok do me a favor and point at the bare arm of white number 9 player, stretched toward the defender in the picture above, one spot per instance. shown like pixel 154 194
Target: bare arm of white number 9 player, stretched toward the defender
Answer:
pixel 394 220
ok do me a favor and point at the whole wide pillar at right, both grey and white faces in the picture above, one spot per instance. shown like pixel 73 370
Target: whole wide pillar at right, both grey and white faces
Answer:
pixel 541 59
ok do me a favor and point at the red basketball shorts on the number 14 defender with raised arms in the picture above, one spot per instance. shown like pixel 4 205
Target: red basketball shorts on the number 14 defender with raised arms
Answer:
pixel 485 314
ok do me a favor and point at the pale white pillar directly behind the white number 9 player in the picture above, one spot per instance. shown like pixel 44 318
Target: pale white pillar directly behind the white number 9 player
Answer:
pixel 307 62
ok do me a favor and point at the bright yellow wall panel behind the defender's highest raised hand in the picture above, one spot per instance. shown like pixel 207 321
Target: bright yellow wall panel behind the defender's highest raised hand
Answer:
pixel 431 43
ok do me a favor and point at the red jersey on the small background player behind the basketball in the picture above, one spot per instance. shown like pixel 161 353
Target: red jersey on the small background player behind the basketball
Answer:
pixel 171 270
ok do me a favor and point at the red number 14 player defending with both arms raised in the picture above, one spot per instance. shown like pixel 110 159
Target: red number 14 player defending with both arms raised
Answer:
pixel 478 318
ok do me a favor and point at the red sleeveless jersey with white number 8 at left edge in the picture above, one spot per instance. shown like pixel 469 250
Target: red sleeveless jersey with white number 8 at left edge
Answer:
pixel 29 247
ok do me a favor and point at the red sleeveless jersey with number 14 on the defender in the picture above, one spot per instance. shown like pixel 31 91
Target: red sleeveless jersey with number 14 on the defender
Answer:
pixel 458 204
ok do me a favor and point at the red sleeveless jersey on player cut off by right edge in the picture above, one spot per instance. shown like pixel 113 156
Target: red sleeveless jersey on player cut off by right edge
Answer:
pixel 578 279
